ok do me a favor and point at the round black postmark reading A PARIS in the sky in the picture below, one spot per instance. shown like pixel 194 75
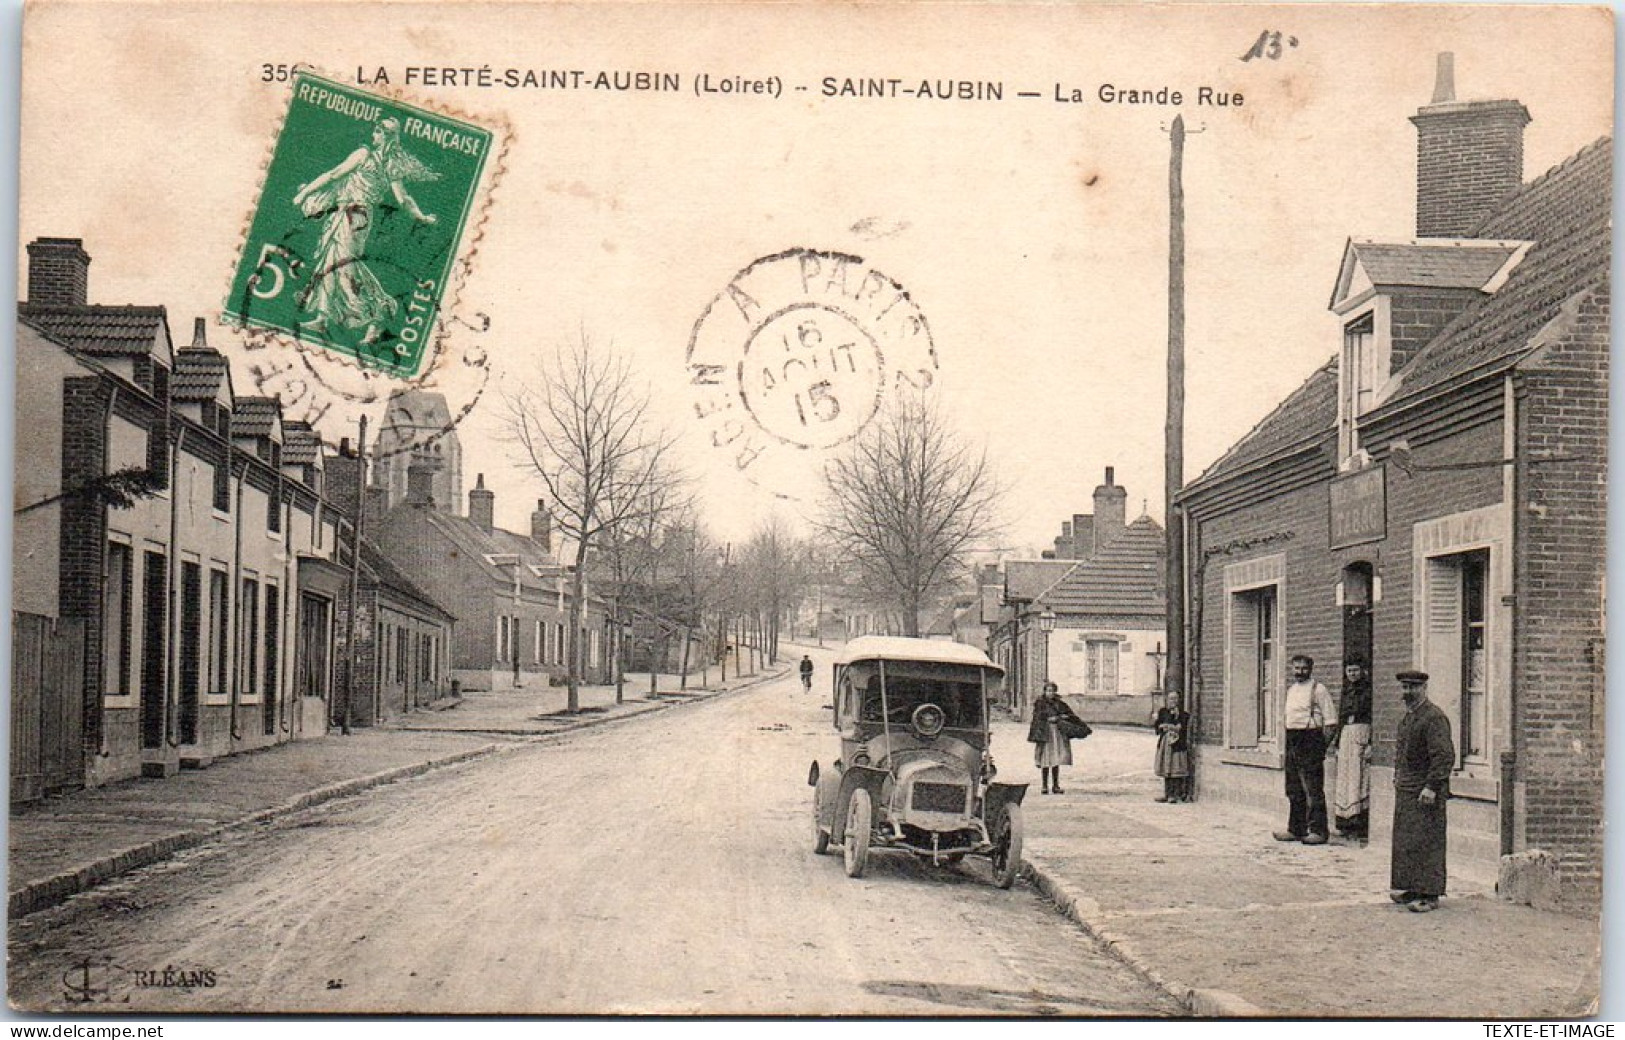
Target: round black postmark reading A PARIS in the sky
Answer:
pixel 799 353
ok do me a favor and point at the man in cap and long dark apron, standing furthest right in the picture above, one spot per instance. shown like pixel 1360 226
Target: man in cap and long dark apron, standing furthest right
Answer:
pixel 1424 758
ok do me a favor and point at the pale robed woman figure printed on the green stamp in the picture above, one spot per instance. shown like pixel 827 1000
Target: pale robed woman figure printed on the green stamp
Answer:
pixel 344 290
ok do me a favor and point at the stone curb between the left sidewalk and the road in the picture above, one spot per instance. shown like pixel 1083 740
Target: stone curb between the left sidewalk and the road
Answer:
pixel 59 888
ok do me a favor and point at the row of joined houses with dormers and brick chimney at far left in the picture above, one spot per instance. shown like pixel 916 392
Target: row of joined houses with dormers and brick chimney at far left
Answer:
pixel 181 571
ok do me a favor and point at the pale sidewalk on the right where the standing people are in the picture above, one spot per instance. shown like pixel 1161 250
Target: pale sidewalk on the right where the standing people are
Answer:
pixel 1234 924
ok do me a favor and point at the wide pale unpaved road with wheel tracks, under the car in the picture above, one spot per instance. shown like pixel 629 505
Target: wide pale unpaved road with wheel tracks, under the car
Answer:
pixel 661 865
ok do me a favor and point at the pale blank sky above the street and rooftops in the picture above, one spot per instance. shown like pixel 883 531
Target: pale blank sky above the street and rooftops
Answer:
pixel 1031 233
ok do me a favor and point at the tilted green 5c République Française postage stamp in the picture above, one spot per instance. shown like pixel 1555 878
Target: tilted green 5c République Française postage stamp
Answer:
pixel 358 223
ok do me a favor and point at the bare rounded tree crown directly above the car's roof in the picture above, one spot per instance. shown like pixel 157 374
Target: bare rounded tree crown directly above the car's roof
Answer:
pixel 908 500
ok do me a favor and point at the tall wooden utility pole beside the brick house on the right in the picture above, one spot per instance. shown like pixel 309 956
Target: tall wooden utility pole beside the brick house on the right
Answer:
pixel 1174 472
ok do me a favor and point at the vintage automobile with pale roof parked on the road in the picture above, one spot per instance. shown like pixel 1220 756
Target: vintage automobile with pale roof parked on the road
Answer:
pixel 916 771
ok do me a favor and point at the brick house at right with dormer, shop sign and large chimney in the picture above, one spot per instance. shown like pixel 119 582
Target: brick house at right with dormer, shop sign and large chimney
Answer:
pixel 1434 498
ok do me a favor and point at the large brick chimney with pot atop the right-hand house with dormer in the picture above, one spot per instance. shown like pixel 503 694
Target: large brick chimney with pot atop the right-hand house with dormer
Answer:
pixel 1470 157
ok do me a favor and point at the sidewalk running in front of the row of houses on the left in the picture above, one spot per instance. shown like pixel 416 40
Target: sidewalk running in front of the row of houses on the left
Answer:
pixel 69 844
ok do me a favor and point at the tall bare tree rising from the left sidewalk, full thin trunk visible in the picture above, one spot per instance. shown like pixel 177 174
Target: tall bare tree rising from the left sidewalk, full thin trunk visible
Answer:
pixel 584 431
